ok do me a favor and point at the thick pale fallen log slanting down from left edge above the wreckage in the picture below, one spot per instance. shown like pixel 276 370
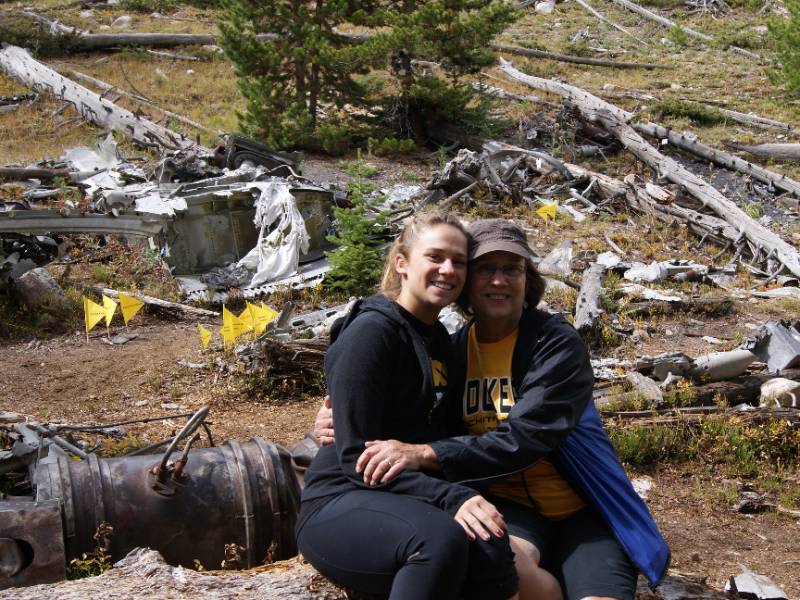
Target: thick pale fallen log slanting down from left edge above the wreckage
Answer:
pixel 20 65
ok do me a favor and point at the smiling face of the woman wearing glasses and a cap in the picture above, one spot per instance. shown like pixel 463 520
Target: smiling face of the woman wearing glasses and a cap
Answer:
pixel 496 290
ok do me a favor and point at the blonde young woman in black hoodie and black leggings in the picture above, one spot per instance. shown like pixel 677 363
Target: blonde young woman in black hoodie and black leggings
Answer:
pixel 415 537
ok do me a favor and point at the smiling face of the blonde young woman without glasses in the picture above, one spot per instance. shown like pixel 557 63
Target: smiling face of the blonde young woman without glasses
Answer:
pixel 433 273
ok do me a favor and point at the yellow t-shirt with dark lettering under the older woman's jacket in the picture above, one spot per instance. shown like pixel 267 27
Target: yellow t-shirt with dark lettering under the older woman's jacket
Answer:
pixel 488 398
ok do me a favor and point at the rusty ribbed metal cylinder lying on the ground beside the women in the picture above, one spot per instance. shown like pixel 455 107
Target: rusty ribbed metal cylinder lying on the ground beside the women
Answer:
pixel 237 493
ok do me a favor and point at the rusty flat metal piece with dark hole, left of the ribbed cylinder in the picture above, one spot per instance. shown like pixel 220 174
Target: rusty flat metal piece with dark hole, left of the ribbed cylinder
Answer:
pixel 31 543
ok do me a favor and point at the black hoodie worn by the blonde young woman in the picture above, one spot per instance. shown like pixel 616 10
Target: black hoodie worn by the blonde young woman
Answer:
pixel 379 371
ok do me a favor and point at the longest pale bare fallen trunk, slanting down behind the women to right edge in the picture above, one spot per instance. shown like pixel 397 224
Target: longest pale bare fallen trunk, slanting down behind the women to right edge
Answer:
pixel 615 120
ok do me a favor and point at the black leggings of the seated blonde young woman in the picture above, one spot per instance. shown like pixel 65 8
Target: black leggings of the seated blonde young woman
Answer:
pixel 389 544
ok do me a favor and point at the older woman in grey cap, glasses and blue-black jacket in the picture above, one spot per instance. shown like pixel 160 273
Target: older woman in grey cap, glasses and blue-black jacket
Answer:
pixel 537 446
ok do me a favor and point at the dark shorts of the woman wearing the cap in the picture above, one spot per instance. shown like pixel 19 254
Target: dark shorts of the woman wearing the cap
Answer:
pixel 581 551
